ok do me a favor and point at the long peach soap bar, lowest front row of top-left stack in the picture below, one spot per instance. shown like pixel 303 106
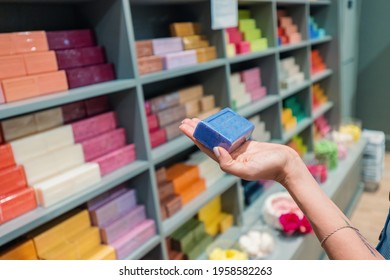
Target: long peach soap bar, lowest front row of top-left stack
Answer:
pixel 35 85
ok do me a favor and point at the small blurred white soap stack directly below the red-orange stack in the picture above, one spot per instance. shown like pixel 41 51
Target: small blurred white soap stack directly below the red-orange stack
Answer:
pixel 291 75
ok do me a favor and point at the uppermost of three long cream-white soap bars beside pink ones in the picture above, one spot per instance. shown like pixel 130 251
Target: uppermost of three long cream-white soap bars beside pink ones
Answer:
pixel 41 143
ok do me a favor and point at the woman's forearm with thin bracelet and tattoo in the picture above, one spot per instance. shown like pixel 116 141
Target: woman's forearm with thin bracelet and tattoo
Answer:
pixel 324 216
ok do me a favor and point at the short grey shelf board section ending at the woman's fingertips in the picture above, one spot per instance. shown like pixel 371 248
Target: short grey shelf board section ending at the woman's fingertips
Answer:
pixel 171 148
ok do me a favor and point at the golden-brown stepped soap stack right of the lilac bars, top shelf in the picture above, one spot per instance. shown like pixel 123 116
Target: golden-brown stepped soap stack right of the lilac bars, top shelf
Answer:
pixel 193 40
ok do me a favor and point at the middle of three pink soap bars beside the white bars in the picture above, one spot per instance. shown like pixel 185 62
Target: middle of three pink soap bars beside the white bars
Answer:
pixel 103 144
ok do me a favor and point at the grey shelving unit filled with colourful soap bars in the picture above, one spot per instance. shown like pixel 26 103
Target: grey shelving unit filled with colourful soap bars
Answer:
pixel 118 24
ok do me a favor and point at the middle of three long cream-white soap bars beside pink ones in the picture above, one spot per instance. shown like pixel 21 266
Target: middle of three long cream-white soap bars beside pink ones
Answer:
pixel 50 164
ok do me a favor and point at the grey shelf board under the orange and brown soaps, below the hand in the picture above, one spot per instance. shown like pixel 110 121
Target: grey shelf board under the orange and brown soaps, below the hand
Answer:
pixel 190 209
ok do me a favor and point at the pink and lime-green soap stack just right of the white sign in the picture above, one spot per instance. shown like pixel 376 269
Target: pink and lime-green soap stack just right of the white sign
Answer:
pixel 246 37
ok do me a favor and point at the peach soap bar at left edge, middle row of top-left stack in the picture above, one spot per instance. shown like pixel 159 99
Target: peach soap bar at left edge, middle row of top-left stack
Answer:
pixel 12 66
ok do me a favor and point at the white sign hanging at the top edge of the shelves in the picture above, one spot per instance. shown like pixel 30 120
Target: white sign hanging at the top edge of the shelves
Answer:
pixel 224 13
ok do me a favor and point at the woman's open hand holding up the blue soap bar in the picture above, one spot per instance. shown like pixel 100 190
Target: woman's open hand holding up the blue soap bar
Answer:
pixel 252 160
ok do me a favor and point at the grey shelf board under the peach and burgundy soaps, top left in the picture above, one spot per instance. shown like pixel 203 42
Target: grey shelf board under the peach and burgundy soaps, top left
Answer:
pixel 56 99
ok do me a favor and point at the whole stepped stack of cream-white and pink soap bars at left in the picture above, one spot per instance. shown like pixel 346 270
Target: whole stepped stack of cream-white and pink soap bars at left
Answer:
pixel 55 149
